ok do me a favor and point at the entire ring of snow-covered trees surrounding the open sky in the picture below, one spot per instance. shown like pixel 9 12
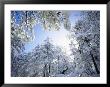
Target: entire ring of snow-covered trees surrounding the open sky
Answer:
pixel 48 60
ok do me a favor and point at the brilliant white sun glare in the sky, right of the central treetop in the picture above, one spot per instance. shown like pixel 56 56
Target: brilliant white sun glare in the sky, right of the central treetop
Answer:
pixel 59 38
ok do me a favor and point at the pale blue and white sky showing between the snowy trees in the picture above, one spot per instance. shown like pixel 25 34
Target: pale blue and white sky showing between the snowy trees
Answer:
pixel 58 38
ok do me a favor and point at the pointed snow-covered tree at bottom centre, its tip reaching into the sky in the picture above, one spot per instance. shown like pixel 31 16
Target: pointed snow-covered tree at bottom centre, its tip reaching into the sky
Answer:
pixel 46 60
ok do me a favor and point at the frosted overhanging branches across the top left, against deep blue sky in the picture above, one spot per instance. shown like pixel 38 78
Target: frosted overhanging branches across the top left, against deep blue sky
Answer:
pixel 22 22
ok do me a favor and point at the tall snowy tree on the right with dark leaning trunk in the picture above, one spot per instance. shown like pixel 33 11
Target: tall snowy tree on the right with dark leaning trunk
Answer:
pixel 87 34
